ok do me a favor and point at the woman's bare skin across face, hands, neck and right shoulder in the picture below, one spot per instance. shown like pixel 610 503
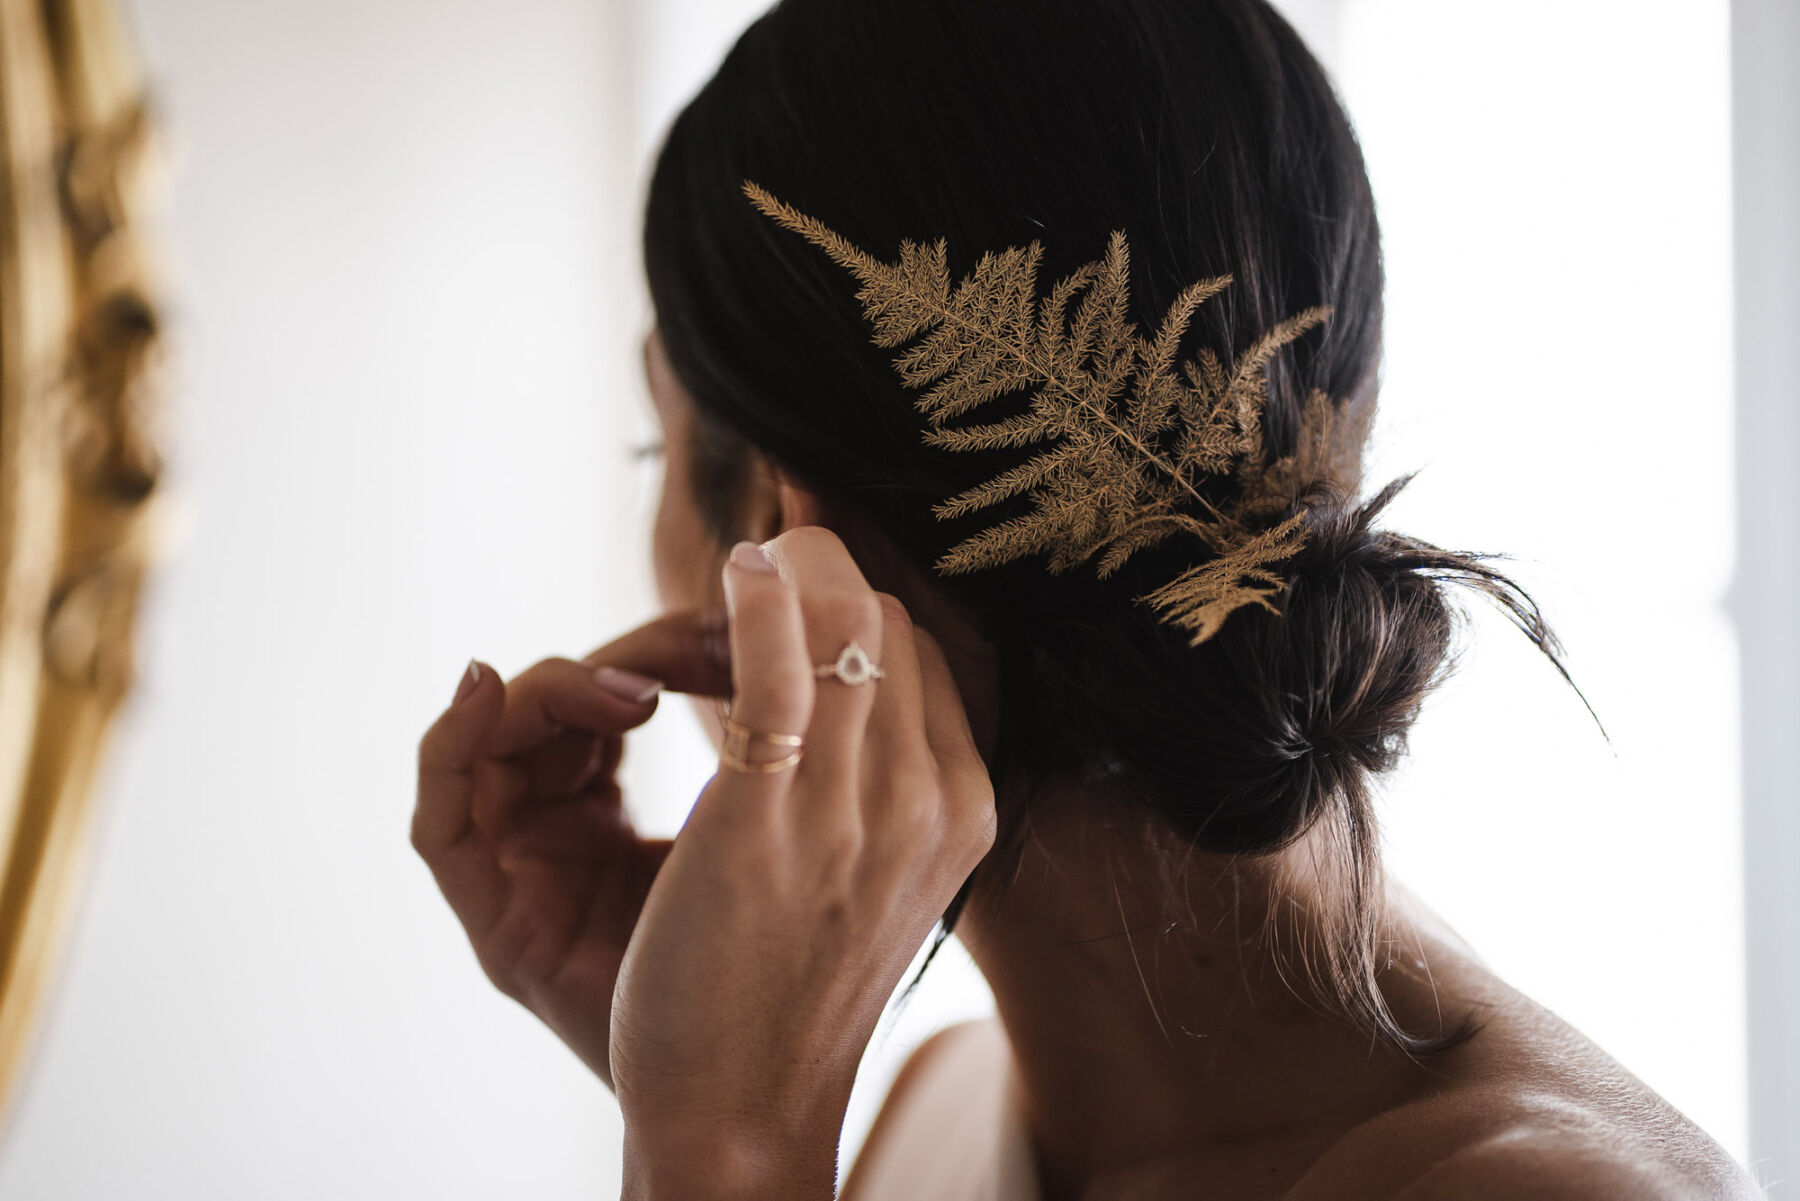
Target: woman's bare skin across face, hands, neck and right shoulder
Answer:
pixel 728 986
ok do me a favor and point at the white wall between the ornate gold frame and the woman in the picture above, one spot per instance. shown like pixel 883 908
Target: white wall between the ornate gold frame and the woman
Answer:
pixel 406 330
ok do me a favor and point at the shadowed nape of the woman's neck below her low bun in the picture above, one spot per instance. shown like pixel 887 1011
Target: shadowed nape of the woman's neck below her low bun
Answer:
pixel 1147 1011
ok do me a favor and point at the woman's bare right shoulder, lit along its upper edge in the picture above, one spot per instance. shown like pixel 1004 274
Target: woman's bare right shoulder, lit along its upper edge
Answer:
pixel 1531 1108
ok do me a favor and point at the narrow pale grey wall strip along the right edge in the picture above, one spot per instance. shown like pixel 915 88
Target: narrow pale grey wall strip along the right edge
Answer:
pixel 1767 235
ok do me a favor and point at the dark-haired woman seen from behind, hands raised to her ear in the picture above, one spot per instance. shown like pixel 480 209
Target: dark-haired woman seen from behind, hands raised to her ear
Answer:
pixel 1155 838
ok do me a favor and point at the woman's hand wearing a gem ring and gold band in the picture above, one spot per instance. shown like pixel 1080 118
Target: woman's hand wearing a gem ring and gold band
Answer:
pixel 793 901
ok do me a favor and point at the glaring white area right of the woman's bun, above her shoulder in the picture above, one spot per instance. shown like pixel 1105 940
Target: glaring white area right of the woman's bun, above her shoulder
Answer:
pixel 1556 219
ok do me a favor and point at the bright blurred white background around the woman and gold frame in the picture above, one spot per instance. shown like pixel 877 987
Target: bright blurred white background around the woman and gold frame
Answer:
pixel 400 291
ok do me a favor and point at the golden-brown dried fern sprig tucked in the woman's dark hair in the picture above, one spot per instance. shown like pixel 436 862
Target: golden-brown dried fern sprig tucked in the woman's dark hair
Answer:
pixel 1108 478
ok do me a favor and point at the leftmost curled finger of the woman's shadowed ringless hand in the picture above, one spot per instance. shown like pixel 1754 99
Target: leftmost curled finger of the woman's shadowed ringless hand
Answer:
pixel 444 831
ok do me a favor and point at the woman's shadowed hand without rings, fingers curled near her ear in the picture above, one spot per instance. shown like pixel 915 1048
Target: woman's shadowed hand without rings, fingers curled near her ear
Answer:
pixel 521 820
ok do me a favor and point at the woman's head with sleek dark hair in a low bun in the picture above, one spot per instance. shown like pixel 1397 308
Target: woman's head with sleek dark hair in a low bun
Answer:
pixel 1210 136
